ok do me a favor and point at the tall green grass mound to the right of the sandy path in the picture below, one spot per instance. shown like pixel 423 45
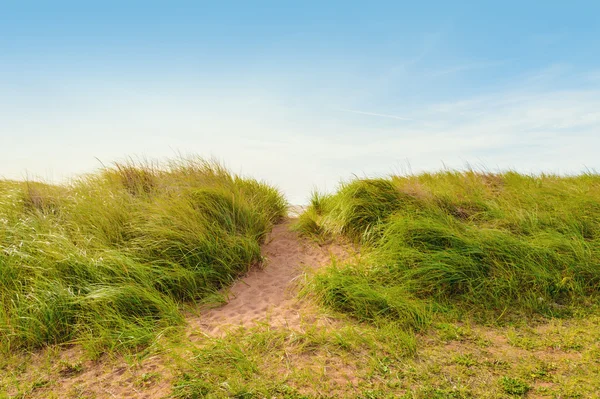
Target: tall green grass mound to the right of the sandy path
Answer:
pixel 493 247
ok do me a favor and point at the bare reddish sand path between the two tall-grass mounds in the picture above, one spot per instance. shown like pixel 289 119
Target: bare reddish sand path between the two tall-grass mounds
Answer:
pixel 268 294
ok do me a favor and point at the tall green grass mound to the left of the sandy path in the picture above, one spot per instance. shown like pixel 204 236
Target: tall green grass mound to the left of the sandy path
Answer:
pixel 110 258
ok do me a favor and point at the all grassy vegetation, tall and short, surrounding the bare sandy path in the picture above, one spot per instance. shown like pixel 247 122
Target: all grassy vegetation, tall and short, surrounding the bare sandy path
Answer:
pixel 460 289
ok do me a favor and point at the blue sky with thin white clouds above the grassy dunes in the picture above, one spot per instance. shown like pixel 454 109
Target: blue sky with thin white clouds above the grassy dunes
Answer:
pixel 301 94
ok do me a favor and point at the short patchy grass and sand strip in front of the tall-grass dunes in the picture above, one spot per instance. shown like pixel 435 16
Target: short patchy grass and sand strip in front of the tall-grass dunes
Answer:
pixel 558 359
